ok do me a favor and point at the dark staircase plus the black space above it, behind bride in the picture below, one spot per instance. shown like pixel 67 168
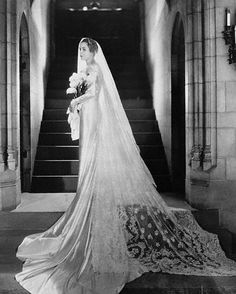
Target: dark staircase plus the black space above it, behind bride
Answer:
pixel 118 33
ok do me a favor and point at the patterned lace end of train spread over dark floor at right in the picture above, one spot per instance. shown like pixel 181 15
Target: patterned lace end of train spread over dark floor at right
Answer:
pixel 163 245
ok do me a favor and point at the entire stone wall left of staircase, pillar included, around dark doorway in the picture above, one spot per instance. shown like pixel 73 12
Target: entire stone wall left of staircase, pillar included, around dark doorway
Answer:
pixel 37 17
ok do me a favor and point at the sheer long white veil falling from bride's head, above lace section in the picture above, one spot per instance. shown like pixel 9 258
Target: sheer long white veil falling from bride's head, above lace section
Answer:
pixel 121 176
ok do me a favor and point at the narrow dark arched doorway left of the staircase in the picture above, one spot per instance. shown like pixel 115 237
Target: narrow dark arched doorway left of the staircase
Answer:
pixel 25 136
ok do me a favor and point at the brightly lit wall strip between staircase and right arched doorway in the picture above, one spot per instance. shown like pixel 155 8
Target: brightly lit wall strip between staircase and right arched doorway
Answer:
pixel 159 22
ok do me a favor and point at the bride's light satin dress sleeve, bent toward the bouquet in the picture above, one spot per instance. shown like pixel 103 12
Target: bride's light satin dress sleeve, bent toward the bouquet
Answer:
pixel 91 88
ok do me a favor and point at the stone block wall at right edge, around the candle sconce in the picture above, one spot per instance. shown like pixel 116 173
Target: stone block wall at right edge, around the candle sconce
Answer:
pixel 224 181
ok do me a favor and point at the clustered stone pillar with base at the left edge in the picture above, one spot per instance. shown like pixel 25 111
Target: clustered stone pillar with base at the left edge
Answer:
pixel 8 112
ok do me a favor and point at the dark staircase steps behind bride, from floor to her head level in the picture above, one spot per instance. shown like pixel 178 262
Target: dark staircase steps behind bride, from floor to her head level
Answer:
pixel 57 161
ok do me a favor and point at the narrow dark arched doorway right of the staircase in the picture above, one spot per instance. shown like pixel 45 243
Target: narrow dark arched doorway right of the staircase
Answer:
pixel 178 106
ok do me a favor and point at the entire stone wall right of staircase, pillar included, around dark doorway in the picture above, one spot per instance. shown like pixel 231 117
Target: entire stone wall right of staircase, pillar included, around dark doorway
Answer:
pixel 210 97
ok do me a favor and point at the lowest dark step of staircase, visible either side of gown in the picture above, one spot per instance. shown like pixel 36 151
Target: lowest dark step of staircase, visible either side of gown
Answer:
pixel 57 184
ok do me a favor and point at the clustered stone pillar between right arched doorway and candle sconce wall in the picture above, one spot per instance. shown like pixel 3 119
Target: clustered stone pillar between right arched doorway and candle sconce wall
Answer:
pixel 202 83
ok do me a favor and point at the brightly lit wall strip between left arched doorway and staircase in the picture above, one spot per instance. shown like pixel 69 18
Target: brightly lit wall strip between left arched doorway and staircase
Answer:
pixel 39 35
